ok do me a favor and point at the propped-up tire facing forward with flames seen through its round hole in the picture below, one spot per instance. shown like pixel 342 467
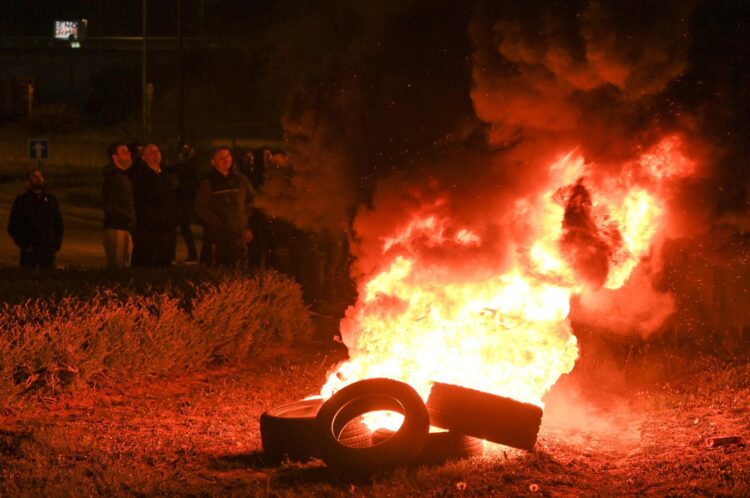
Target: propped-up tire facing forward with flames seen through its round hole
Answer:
pixel 367 396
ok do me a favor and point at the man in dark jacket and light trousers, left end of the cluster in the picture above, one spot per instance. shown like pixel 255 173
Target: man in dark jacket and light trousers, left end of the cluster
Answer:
pixel 119 209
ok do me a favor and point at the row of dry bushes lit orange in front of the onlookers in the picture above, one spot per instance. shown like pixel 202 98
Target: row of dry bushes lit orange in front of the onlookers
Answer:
pixel 51 346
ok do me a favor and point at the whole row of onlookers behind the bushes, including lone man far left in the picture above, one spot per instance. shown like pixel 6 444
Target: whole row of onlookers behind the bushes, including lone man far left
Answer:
pixel 145 203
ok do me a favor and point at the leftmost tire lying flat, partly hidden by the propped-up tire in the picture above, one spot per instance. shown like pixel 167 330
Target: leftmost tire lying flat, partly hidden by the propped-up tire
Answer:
pixel 288 430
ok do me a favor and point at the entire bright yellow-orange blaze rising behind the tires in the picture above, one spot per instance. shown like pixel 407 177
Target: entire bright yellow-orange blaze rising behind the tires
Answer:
pixel 506 334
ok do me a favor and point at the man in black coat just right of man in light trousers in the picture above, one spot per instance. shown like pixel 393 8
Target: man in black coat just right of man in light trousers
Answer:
pixel 155 208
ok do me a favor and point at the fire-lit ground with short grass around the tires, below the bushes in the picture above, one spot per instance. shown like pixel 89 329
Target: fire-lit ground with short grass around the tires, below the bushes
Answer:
pixel 615 426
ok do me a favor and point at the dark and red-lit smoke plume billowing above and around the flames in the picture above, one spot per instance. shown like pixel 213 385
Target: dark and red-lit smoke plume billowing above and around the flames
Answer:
pixel 456 109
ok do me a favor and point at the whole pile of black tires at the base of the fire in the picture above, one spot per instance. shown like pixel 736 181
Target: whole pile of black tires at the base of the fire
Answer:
pixel 332 430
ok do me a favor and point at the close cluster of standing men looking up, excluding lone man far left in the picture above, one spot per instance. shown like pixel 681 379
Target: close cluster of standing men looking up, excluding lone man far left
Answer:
pixel 146 202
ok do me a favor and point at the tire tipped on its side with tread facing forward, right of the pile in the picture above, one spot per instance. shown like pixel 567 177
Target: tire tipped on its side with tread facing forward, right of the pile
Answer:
pixel 483 415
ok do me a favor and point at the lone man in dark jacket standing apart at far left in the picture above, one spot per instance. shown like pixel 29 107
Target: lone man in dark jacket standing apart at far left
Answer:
pixel 36 224
